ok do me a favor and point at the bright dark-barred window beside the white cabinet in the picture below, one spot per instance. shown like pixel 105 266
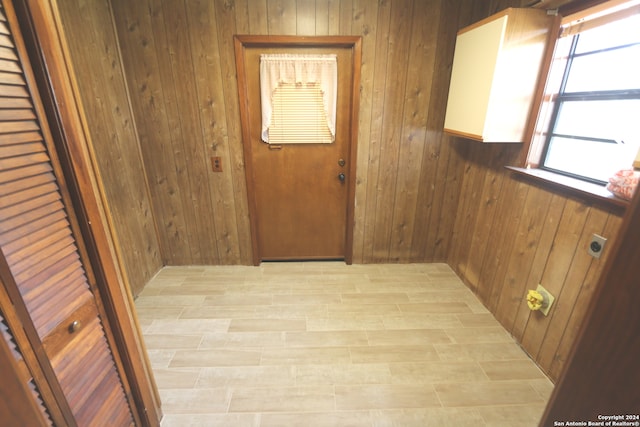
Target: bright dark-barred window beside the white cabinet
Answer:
pixel 594 127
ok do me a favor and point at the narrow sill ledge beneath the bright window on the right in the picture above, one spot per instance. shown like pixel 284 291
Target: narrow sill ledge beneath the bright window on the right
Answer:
pixel 590 192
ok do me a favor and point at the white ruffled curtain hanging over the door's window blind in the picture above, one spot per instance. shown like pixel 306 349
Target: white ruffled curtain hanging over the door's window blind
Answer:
pixel 299 69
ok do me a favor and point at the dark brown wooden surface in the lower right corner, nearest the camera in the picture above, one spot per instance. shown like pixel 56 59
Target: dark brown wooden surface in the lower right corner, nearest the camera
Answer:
pixel 602 375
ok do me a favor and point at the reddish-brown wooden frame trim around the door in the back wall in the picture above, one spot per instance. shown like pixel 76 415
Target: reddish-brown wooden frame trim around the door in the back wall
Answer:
pixel 241 42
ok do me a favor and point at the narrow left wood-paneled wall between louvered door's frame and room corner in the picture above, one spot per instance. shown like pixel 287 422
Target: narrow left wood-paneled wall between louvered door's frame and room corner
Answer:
pixel 95 55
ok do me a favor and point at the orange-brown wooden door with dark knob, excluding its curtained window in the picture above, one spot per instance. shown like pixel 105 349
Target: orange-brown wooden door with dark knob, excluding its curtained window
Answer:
pixel 301 194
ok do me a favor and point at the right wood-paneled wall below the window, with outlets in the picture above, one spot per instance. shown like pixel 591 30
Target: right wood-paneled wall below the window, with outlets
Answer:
pixel 511 236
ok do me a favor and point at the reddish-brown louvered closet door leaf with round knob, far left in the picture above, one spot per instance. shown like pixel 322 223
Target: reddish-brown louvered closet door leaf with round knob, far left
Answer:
pixel 37 242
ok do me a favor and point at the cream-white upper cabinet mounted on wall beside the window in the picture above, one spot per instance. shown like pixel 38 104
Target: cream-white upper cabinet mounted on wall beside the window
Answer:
pixel 494 79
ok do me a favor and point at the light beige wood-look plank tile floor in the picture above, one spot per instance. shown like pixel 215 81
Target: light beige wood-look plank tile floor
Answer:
pixel 326 344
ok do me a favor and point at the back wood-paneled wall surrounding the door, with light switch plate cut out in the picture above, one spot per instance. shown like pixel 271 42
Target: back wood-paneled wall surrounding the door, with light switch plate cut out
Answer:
pixel 179 62
